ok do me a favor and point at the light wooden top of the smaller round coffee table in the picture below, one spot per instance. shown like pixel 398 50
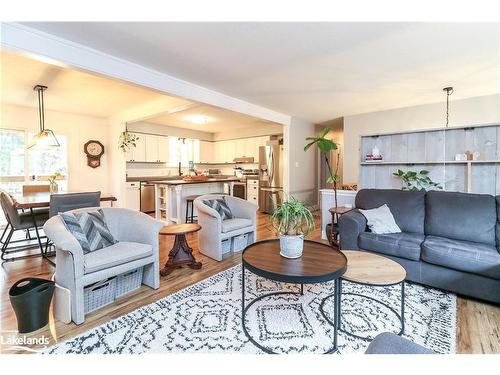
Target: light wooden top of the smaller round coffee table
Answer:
pixel 372 269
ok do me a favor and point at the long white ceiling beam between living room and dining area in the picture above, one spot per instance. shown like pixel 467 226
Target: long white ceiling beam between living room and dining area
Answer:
pixel 28 40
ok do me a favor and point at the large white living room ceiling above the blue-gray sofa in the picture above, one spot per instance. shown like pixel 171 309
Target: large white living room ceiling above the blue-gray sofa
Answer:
pixel 316 71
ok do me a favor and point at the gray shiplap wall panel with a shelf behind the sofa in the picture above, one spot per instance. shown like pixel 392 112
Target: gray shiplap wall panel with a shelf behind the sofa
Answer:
pixel 432 150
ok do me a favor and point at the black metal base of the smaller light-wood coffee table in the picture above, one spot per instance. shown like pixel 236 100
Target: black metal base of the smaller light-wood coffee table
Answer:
pixel 338 318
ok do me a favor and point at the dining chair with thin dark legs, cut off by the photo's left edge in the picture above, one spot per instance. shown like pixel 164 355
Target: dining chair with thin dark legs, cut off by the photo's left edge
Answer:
pixel 17 221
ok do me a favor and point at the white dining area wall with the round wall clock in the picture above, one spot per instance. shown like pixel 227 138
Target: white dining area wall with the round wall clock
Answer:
pixel 79 129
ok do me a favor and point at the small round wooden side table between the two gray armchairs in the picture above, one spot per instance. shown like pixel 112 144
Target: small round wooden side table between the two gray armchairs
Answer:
pixel 181 254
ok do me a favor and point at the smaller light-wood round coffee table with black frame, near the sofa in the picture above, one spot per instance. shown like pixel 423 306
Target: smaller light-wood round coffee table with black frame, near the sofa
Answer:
pixel 375 271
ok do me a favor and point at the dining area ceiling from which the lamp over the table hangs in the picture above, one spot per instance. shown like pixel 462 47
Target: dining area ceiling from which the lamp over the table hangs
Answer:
pixel 68 90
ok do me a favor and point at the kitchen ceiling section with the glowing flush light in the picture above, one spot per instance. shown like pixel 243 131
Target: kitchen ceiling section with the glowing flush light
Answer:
pixel 217 119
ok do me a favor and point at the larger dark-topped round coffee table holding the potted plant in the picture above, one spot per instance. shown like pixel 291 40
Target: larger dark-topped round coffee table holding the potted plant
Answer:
pixel 319 263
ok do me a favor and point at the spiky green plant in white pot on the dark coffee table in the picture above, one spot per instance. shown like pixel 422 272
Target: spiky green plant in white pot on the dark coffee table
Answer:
pixel 293 221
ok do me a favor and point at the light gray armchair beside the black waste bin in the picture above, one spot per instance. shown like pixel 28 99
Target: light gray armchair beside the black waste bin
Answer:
pixel 137 246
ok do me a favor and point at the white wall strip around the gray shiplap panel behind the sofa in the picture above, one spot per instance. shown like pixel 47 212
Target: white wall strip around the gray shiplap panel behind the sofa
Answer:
pixel 471 111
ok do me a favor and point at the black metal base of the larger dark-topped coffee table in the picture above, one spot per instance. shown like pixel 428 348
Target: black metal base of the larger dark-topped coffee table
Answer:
pixel 244 310
